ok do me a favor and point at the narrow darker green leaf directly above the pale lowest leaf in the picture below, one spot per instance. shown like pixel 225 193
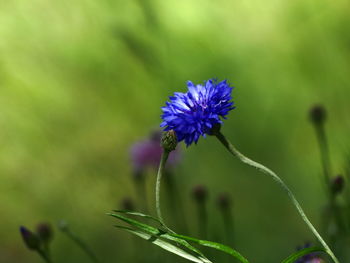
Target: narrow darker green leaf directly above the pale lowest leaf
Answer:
pixel 161 233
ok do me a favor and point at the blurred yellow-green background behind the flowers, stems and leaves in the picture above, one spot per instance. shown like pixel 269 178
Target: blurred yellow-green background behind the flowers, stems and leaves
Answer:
pixel 82 80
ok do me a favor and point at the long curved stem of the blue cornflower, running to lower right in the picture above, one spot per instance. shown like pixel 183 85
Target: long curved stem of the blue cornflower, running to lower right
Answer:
pixel 267 171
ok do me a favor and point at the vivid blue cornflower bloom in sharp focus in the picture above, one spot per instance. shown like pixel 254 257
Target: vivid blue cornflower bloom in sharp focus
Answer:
pixel 195 112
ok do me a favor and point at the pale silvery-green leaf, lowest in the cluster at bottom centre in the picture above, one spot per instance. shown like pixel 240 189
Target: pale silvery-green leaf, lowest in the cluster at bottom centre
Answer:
pixel 166 245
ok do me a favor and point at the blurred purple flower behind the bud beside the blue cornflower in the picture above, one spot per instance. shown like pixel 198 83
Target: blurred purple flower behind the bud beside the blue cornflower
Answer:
pixel 146 153
